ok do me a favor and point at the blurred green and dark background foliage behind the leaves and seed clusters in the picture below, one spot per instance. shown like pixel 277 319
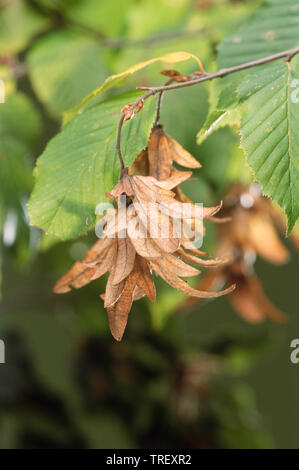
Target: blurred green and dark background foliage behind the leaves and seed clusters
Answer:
pixel 202 378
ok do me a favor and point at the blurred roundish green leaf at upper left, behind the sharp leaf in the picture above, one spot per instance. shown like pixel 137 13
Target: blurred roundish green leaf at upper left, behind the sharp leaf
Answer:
pixel 64 67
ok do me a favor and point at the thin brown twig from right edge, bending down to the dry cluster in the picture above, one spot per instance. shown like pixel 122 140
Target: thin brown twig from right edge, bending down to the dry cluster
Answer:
pixel 151 91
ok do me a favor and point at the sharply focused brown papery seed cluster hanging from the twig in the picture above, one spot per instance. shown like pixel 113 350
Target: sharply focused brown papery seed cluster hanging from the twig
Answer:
pixel 130 258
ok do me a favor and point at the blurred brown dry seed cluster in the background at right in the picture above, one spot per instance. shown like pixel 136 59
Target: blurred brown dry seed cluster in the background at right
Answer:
pixel 251 232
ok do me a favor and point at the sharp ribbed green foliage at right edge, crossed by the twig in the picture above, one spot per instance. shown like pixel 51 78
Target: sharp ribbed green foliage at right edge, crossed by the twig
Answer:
pixel 259 100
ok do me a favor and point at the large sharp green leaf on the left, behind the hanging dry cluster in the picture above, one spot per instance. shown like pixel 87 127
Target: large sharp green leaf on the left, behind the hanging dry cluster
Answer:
pixel 81 163
